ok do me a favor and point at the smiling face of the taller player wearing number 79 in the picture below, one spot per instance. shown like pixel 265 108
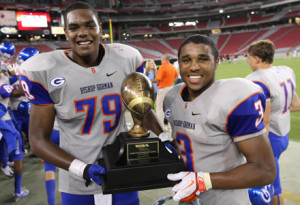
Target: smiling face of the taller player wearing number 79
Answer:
pixel 83 31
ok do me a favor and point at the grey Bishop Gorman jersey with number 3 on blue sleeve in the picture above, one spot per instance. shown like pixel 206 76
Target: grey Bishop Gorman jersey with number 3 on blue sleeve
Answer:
pixel 207 128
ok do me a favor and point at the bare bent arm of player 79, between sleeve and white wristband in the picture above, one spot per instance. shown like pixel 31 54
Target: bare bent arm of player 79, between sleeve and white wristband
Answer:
pixel 40 130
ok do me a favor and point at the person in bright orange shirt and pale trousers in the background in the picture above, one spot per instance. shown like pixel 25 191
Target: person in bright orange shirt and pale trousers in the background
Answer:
pixel 165 78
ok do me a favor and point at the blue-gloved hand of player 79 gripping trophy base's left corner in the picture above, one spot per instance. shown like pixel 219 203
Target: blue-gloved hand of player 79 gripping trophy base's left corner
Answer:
pixel 92 172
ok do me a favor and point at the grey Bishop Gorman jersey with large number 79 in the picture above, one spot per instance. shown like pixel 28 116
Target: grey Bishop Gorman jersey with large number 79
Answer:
pixel 88 104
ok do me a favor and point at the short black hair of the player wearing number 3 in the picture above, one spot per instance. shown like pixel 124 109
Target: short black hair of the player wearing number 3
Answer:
pixel 197 39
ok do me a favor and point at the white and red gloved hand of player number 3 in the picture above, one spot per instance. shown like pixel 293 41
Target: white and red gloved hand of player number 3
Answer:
pixel 191 185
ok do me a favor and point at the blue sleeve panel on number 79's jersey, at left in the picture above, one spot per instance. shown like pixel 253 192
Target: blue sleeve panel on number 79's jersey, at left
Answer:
pixel 36 92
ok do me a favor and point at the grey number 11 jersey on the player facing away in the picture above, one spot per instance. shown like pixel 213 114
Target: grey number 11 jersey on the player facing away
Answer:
pixel 279 84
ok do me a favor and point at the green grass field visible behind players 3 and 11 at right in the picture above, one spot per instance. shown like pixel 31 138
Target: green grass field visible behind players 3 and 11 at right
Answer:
pixel 242 69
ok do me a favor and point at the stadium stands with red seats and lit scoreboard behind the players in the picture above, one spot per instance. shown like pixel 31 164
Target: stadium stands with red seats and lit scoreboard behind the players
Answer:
pixel 155 27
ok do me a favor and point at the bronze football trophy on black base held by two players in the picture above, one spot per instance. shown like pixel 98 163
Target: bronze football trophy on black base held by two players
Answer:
pixel 137 160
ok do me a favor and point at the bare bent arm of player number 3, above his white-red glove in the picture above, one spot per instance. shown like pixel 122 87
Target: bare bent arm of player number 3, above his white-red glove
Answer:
pixel 259 170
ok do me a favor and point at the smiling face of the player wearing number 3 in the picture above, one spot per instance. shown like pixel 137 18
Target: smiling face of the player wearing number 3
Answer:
pixel 197 67
